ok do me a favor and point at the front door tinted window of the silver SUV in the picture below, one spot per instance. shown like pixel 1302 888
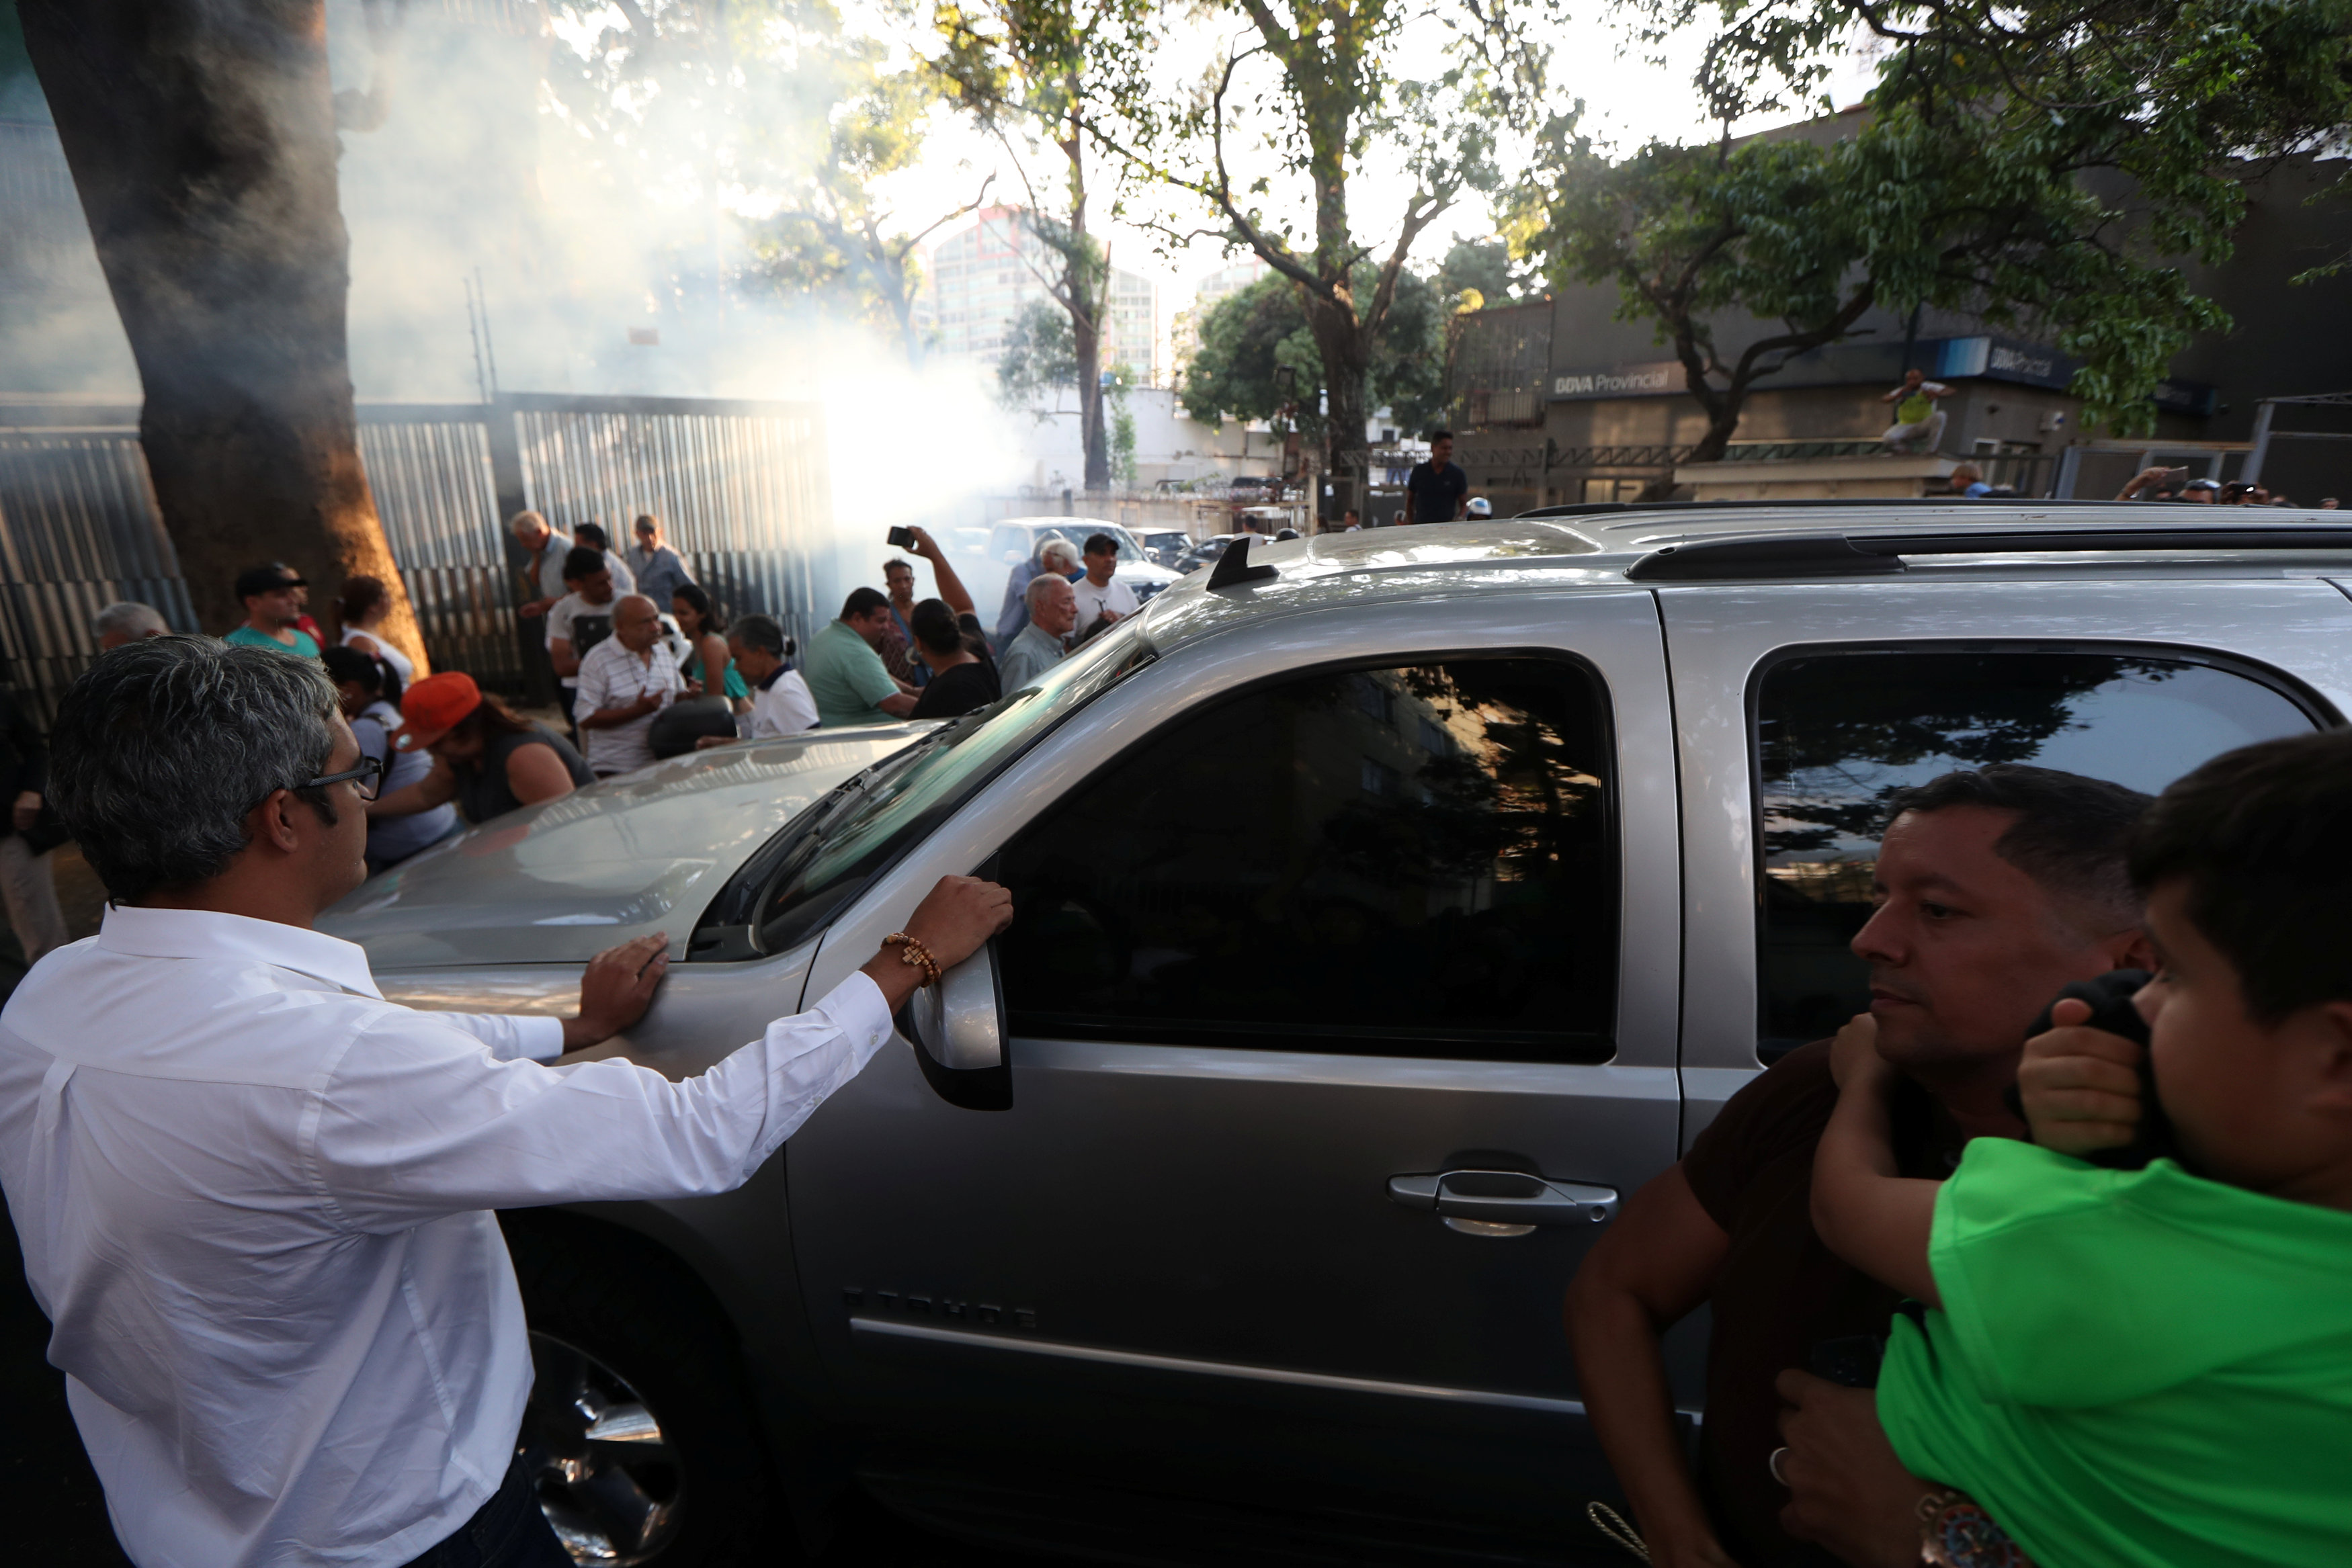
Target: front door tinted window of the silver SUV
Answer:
pixel 1412 862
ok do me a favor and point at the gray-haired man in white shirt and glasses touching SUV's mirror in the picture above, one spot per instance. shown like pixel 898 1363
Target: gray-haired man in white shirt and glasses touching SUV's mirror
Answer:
pixel 258 1200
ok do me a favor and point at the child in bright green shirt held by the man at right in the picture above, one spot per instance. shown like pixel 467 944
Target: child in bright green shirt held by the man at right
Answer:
pixel 2151 1367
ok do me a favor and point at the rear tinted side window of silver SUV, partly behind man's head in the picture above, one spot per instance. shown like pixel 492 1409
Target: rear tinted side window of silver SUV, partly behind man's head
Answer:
pixel 1840 732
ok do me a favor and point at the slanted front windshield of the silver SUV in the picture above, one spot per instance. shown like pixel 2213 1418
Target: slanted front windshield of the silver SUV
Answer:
pixel 829 855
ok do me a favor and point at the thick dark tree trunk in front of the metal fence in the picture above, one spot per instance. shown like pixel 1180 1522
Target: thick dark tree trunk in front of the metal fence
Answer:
pixel 201 138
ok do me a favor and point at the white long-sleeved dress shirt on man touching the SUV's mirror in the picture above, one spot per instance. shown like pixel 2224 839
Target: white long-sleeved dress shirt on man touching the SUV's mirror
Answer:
pixel 255 1202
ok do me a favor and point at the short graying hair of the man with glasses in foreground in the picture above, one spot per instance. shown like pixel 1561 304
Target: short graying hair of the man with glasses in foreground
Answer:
pixel 166 746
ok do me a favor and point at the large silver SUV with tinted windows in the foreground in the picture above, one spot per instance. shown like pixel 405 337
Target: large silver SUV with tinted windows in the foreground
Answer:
pixel 1379 927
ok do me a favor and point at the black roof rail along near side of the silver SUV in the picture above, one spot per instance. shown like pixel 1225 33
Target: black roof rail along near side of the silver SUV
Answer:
pixel 1744 556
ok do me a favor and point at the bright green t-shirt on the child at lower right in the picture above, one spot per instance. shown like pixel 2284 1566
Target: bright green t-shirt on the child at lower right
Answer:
pixel 2132 1367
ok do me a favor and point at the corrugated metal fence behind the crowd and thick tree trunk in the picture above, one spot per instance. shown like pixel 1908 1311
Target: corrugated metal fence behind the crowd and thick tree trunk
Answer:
pixel 740 485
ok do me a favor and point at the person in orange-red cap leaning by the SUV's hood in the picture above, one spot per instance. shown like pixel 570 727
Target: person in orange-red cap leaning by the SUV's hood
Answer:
pixel 483 758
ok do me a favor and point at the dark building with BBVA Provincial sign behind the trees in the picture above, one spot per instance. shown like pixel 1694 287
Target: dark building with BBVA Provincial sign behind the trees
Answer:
pixel 1565 403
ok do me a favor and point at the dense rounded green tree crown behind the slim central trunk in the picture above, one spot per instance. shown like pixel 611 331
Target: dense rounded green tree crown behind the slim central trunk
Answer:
pixel 1259 330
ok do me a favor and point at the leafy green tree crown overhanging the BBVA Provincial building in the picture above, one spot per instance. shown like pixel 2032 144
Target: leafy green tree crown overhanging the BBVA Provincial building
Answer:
pixel 2045 166
